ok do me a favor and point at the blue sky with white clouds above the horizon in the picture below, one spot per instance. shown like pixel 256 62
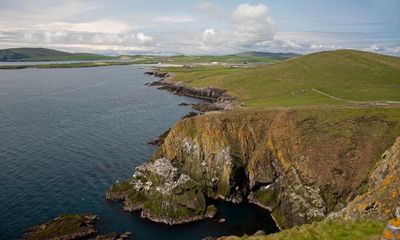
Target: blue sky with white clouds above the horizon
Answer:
pixel 201 27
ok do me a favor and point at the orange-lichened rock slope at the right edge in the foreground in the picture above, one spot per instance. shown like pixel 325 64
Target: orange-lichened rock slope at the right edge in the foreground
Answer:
pixel 382 198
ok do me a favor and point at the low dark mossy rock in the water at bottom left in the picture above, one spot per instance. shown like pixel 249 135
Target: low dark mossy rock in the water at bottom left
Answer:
pixel 64 227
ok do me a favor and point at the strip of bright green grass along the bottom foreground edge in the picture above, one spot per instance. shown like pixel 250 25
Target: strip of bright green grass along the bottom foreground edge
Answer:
pixel 329 230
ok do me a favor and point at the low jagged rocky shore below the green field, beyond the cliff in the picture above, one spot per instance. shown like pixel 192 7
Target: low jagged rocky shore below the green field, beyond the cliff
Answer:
pixel 214 99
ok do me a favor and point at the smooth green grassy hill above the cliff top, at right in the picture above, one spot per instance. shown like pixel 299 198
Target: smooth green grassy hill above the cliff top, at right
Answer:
pixel 347 74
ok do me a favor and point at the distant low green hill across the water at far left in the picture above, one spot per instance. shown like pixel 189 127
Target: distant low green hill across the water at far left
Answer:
pixel 44 54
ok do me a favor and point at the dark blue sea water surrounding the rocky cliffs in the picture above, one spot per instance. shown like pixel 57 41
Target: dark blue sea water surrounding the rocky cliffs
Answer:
pixel 67 134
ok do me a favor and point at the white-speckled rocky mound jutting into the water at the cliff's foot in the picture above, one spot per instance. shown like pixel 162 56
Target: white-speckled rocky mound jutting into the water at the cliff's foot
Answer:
pixel 162 194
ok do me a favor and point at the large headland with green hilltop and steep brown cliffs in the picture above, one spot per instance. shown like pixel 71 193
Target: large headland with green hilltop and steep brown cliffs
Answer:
pixel 297 141
